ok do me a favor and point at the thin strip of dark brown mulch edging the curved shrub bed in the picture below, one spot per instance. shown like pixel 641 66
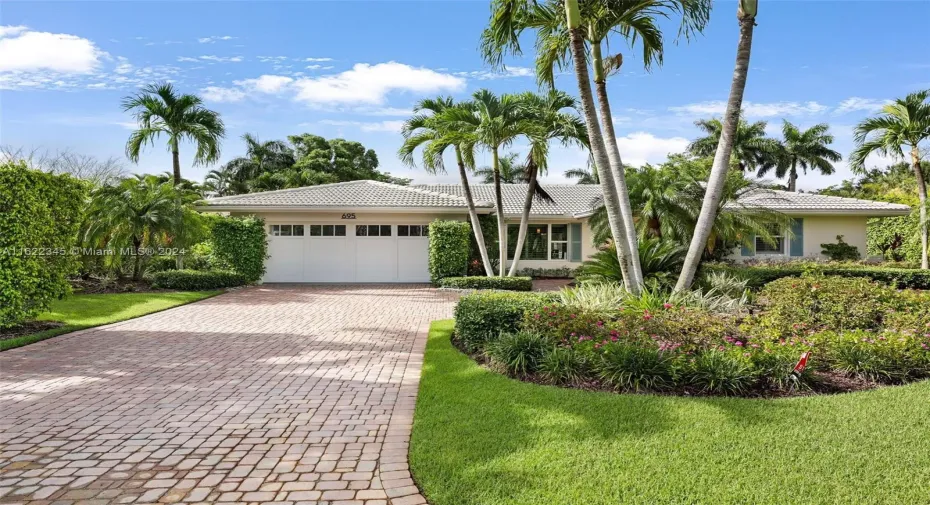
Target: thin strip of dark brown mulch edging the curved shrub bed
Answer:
pixel 826 383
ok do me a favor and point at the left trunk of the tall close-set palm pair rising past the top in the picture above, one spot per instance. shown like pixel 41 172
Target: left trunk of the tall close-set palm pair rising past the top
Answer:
pixel 598 150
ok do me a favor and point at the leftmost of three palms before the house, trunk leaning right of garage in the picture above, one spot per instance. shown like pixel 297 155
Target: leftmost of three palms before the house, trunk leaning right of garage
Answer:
pixel 431 128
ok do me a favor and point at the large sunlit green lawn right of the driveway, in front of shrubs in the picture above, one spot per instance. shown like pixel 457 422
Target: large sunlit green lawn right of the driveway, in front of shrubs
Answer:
pixel 481 438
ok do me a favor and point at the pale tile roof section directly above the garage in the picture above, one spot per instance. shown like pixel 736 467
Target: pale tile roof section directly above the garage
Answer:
pixel 346 195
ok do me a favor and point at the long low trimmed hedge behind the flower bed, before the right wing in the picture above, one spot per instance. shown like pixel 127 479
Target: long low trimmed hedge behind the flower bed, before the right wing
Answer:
pixel 758 276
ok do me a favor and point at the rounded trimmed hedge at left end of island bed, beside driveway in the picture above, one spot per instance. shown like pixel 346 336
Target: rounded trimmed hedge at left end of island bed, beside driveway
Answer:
pixel 481 316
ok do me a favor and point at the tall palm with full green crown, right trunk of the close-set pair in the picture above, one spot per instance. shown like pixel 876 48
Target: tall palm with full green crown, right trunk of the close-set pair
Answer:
pixel 562 34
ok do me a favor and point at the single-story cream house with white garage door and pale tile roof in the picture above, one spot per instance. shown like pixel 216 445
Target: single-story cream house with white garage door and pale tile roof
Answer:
pixel 367 231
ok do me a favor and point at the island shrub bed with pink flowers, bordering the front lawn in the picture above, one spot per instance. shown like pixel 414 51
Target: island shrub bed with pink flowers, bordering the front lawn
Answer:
pixel 859 333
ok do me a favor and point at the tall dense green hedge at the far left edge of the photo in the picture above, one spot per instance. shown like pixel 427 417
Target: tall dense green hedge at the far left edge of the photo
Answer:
pixel 39 218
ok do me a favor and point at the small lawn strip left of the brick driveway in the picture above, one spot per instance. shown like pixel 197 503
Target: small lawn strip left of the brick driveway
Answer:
pixel 85 311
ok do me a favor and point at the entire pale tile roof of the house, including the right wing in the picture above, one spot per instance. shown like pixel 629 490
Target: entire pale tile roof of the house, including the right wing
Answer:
pixel 570 199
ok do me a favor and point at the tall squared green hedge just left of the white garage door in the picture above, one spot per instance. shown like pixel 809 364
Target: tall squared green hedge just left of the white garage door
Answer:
pixel 241 244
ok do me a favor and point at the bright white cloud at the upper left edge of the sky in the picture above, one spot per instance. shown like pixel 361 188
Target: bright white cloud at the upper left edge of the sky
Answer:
pixel 22 50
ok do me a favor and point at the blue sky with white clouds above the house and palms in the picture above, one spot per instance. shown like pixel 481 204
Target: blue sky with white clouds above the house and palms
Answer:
pixel 353 69
